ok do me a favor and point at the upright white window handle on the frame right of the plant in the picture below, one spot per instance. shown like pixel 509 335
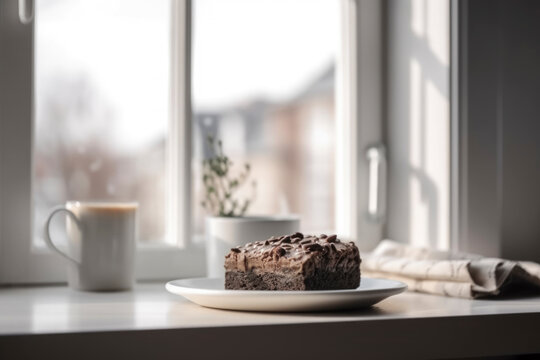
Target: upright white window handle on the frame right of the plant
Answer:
pixel 377 167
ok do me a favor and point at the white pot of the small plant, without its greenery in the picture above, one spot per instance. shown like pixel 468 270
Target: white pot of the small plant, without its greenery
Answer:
pixel 224 233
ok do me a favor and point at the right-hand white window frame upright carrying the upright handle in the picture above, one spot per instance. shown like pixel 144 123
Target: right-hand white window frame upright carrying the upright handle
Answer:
pixel 359 119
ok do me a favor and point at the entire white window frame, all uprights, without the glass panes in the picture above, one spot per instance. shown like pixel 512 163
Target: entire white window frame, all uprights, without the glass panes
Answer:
pixel 359 114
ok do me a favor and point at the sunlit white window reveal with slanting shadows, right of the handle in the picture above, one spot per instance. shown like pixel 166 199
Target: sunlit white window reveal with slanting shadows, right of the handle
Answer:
pixel 418 122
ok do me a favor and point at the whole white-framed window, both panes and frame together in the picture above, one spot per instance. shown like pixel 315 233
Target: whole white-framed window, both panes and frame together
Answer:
pixel 86 73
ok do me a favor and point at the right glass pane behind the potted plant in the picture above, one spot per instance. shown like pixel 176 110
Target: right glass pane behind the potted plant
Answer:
pixel 263 83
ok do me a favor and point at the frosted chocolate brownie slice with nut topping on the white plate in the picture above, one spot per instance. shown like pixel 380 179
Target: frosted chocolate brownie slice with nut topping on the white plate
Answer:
pixel 293 262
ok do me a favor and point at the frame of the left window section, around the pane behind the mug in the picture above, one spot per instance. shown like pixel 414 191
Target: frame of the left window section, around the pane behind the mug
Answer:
pixel 20 261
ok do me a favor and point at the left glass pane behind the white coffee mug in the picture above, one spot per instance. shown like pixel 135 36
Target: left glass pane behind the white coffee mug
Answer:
pixel 101 95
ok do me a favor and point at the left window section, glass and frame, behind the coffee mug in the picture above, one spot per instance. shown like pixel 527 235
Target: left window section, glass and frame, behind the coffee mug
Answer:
pixel 73 91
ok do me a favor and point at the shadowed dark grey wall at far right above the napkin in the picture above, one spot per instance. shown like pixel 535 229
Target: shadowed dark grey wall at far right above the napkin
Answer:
pixel 499 111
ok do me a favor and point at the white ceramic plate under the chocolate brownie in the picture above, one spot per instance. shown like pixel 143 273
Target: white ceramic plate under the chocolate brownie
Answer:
pixel 210 293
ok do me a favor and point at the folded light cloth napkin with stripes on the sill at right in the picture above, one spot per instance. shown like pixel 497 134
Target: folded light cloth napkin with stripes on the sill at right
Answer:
pixel 448 273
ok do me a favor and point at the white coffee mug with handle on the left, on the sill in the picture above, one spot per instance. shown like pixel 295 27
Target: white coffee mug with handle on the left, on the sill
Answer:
pixel 101 244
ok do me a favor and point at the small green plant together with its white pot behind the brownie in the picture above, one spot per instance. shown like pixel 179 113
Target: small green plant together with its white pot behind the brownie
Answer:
pixel 227 226
